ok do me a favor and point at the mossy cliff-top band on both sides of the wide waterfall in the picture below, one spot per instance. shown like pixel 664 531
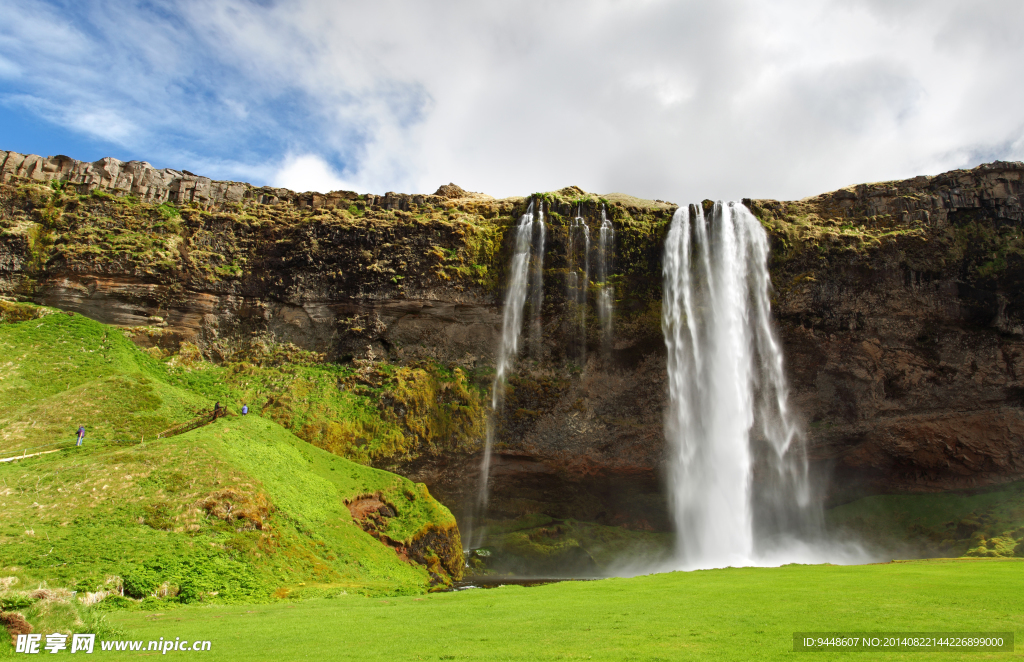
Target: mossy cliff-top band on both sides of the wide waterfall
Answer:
pixel 402 245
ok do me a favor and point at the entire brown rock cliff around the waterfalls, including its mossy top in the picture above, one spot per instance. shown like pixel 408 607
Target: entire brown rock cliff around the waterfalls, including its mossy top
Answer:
pixel 901 307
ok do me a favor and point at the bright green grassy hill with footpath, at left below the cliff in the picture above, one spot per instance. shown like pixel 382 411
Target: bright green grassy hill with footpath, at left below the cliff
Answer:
pixel 118 507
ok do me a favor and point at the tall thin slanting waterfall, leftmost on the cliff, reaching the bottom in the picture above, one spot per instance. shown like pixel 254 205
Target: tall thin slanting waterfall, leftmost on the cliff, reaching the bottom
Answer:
pixel 513 318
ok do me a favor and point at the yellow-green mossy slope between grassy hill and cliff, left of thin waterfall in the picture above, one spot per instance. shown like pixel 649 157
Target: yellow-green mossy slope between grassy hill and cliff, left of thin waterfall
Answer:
pixel 338 408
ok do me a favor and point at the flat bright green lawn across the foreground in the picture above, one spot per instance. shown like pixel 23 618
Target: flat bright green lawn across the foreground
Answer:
pixel 732 614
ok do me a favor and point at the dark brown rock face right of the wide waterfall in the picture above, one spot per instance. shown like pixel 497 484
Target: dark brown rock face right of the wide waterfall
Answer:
pixel 906 350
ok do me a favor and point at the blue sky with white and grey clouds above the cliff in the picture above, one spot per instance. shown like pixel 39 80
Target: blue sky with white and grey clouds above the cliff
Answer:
pixel 678 101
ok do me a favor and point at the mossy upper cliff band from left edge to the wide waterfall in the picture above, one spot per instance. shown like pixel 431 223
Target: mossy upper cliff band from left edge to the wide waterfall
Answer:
pixel 393 244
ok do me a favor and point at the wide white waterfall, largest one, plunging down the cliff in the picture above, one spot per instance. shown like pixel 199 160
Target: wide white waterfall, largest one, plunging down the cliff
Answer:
pixel 739 476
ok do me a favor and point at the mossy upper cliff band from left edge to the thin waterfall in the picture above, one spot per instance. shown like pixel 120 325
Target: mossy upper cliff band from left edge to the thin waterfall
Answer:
pixel 102 233
